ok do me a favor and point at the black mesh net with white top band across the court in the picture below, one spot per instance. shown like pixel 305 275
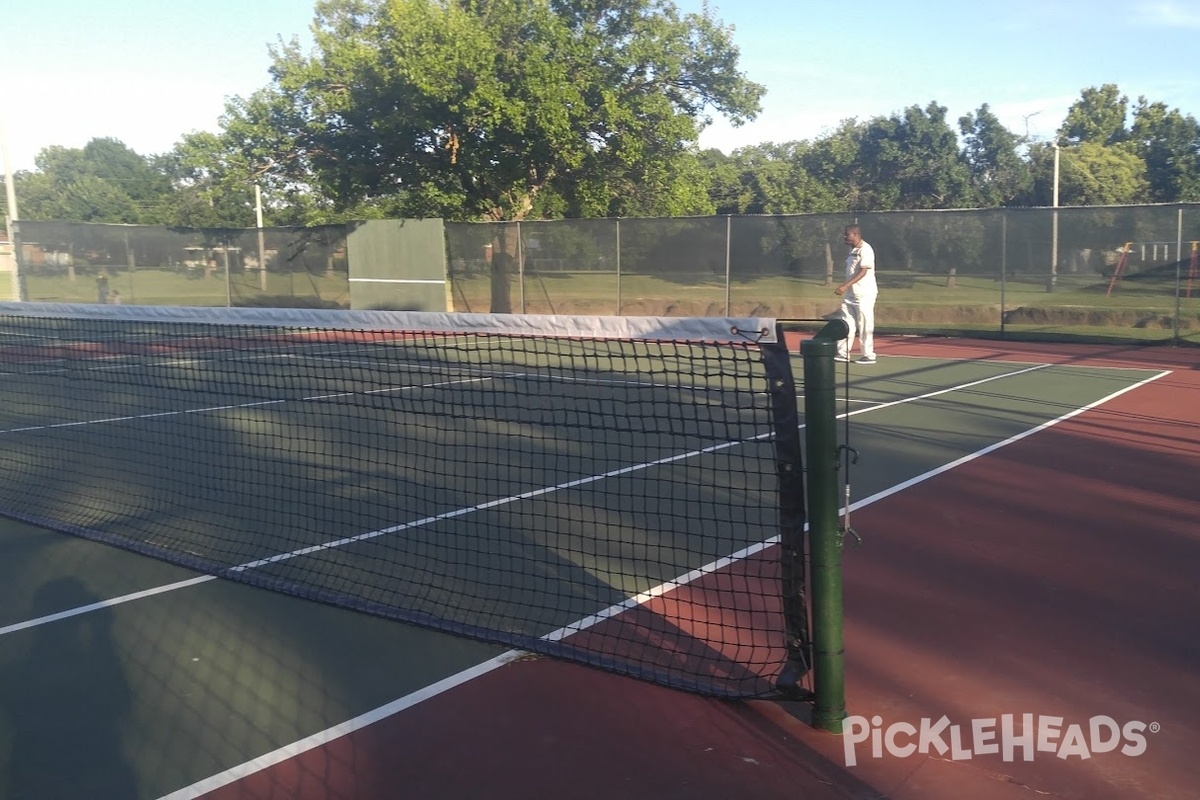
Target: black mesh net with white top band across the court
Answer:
pixel 611 491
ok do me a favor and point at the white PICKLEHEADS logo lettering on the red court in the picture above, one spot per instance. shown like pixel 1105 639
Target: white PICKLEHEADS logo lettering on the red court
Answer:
pixel 1007 737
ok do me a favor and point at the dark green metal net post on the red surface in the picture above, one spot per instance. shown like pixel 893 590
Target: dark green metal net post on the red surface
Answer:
pixel 821 441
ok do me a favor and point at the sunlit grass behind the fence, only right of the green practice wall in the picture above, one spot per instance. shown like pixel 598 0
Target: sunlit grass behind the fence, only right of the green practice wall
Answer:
pixel 1079 306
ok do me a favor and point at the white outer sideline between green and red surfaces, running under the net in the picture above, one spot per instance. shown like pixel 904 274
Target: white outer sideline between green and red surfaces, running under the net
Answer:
pixel 290 751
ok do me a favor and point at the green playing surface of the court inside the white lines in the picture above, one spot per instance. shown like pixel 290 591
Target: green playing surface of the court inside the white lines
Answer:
pixel 145 694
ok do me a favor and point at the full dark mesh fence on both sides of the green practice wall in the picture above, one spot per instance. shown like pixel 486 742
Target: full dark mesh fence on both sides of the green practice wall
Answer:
pixel 1112 274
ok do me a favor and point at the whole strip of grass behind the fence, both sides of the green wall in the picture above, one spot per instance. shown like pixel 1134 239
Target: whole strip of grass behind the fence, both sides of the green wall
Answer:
pixel 1082 306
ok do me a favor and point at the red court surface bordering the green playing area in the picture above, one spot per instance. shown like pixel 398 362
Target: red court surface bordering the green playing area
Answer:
pixel 1053 578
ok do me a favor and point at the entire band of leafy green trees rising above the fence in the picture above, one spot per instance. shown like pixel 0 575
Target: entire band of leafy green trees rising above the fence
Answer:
pixel 418 124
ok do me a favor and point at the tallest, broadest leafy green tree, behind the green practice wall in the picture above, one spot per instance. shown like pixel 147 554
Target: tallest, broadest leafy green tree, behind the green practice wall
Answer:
pixel 473 109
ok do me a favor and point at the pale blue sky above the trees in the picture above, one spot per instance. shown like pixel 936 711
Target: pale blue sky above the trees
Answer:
pixel 148 71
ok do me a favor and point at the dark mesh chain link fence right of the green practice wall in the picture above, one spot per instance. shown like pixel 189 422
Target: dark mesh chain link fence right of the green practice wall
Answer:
pixel 1113 273
